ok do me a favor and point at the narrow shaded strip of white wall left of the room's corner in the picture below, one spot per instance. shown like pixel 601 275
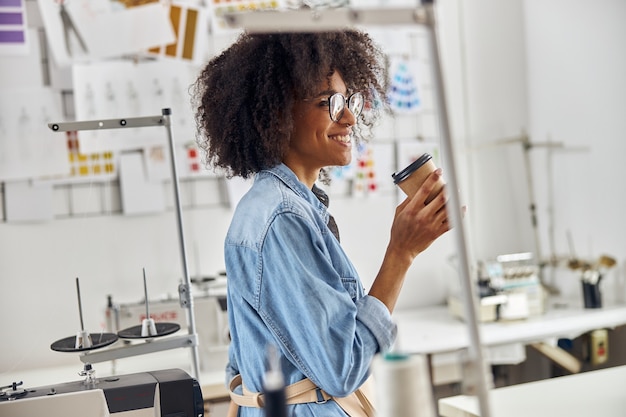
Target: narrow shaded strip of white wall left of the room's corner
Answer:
pixel 496 108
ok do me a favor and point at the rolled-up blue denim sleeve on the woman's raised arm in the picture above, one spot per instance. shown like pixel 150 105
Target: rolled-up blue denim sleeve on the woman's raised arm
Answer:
pixel 307 296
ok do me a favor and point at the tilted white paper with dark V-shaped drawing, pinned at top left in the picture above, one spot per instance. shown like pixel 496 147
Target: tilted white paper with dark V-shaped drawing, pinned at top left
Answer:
pixel 81 30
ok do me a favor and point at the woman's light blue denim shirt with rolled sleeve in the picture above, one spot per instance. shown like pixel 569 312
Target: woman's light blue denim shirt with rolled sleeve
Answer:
pixel 291 285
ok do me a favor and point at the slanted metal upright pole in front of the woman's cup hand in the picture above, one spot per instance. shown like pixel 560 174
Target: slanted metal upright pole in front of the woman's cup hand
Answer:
pixel 475 356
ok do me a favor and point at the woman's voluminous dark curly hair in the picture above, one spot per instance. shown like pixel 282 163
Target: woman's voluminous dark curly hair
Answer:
pixel 243 98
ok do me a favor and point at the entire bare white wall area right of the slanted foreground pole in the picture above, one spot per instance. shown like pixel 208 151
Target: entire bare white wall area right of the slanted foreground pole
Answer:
pixel 554 70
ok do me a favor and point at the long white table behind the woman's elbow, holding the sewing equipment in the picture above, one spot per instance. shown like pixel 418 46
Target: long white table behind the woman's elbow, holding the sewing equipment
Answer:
pixel 434 332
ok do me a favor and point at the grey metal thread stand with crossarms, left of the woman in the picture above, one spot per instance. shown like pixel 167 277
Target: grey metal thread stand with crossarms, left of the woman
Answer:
pixel 184 289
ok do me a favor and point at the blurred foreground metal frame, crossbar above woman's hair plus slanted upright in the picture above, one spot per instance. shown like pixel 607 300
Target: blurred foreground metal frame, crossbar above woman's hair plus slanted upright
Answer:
pixel 424 14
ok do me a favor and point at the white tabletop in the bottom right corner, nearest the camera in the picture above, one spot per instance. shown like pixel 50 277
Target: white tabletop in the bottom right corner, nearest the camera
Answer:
pixel 595 393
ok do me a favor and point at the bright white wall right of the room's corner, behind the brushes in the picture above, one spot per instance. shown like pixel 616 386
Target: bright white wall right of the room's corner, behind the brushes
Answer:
pixel 577 96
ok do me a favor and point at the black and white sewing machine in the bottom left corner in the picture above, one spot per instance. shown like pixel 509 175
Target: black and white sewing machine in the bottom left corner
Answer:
pixel 170 392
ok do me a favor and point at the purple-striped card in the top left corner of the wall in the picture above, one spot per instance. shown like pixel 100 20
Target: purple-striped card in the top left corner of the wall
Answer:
pixel 13 28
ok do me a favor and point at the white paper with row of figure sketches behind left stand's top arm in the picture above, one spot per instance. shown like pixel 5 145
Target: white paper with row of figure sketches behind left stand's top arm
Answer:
pixel 125 89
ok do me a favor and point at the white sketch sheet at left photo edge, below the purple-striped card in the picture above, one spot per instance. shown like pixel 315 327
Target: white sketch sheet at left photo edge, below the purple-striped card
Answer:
pixel 28 149
